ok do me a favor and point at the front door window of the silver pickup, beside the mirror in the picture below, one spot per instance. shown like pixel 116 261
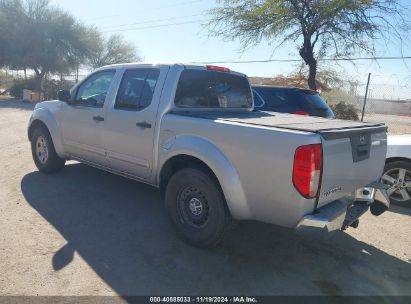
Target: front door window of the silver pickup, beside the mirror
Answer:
pixel 93 91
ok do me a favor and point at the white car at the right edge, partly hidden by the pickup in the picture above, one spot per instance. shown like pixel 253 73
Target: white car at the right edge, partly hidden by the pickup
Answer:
pixel 397 171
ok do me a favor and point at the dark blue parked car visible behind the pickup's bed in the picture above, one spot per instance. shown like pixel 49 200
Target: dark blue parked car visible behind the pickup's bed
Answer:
pixel 291 100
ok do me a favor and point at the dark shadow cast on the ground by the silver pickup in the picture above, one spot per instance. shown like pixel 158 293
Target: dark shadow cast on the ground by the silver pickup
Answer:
pixel 120 228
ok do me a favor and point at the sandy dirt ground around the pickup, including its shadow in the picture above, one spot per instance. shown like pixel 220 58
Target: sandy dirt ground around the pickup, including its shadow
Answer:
pixel 86 232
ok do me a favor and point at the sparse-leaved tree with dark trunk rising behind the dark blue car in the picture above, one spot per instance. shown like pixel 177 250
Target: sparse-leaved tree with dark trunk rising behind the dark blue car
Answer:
pixel 336 28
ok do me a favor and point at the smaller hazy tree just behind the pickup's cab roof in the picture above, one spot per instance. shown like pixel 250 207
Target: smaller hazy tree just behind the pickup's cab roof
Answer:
pixel 112 50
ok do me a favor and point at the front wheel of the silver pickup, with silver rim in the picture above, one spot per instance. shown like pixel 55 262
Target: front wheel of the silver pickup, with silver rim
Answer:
pixel 43 152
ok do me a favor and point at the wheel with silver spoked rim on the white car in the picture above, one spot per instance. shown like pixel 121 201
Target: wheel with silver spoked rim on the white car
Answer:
pixel 397 174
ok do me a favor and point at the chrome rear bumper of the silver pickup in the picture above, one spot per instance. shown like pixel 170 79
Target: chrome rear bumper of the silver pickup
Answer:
pixel 342 213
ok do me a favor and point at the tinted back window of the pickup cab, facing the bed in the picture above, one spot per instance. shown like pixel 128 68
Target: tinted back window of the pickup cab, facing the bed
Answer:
pixel 212 89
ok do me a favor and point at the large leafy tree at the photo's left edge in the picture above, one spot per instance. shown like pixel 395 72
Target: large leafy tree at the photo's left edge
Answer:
pixel 40 37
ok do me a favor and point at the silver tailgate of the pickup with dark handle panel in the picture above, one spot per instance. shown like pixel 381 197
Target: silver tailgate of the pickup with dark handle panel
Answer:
pixel 352 158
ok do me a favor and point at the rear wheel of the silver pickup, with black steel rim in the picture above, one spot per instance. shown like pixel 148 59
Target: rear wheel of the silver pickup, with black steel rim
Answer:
pixel 197 207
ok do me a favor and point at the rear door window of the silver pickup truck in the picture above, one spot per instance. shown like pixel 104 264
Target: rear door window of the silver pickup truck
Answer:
pixel 137 89
